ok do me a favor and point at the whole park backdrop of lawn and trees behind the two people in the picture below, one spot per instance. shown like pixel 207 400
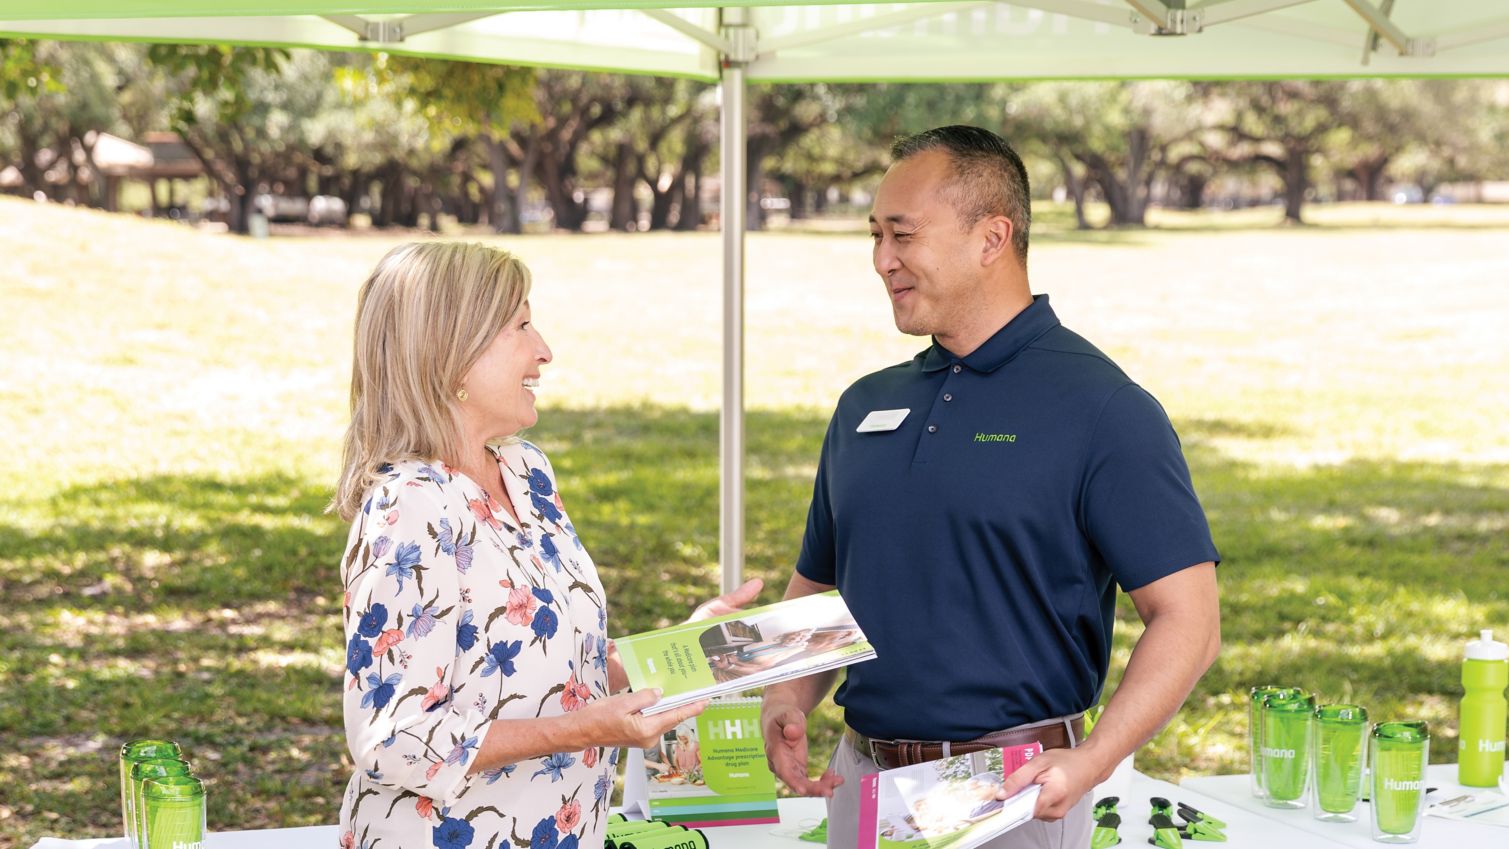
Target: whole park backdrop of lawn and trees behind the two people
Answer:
pixel 174 396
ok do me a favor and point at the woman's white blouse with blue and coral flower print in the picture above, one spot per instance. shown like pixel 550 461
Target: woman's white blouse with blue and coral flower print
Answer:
pixel 456 618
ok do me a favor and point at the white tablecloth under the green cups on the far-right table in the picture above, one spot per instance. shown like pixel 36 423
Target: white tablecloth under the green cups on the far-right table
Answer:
pixel 1437 833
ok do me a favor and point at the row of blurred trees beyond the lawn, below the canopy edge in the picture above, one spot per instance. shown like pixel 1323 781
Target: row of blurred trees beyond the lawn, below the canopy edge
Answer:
pixel 408 141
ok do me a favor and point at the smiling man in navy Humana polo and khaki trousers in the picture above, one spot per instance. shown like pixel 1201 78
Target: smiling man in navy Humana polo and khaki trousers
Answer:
pixel 977 509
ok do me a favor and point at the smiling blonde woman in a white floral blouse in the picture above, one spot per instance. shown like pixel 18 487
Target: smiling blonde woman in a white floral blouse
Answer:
pixel 479 670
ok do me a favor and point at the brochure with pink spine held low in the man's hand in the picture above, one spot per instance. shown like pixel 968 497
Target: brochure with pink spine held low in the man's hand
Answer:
pixel 947 803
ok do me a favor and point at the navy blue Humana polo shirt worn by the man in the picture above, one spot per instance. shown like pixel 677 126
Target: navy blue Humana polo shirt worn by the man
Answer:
pixel 982 542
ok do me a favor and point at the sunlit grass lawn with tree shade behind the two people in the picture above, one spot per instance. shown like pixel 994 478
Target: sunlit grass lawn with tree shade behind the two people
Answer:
pixel 174 403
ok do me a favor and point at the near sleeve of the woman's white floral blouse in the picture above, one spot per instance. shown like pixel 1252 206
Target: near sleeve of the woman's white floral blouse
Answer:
pixel 404 728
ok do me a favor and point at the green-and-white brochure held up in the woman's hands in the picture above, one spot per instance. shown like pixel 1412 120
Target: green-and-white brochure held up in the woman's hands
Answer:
pixel 745 651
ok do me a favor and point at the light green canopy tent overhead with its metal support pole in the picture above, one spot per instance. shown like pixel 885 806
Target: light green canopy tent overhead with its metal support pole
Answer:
pixel 739 41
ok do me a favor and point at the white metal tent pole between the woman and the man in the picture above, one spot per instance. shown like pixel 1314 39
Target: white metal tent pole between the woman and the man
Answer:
pixel 731 432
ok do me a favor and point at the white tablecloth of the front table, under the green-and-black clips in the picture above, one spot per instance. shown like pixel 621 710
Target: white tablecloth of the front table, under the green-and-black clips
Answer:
pixel 1247 829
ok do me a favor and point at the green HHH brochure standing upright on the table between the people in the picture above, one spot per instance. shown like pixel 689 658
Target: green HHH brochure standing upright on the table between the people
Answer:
pixel 710 770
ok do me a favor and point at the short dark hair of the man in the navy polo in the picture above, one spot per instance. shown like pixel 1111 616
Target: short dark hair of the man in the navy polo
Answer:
pixel 989 177
